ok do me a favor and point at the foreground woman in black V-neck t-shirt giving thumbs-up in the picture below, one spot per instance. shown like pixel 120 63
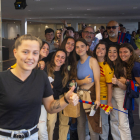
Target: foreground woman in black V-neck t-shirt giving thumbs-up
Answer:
pixel 22 90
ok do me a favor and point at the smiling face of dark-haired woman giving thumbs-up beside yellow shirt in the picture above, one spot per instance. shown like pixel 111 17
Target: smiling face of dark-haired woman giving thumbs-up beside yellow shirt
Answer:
pixel 112 53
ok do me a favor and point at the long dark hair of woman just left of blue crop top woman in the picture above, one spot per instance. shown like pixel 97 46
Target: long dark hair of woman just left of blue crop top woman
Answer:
pixel 71 59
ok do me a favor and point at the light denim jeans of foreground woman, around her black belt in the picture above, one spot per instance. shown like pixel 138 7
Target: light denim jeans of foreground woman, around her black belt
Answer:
pixel 32 137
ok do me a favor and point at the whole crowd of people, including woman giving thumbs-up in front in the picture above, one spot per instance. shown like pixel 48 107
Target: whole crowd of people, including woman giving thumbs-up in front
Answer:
pixel 100 64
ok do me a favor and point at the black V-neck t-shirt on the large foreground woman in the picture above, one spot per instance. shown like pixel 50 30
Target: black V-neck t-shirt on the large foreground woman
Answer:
pixel 20 101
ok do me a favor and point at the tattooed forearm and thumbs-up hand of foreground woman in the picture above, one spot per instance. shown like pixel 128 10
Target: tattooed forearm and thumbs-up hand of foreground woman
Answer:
pixel 54 106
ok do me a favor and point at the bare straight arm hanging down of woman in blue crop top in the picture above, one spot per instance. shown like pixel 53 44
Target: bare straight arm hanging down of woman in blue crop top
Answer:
pixel 96 72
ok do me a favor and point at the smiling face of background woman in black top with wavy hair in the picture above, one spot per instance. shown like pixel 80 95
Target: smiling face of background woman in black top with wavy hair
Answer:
pixel 59 59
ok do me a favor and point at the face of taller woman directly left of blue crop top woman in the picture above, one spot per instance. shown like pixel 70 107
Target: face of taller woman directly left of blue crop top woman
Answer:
pixel 69 45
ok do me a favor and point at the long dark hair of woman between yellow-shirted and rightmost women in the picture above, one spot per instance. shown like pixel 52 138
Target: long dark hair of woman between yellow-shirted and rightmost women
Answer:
pixel 118 67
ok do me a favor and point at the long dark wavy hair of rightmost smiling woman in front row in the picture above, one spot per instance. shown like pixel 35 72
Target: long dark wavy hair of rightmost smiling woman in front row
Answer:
pixel 133 58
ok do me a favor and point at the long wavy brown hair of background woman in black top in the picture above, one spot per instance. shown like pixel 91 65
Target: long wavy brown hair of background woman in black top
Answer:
pixel 63 69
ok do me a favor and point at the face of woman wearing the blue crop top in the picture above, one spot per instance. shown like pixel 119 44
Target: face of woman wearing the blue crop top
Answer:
pixel 81 48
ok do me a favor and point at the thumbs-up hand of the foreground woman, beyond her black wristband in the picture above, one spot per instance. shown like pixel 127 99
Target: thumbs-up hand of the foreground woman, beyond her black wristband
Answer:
pixel 72 97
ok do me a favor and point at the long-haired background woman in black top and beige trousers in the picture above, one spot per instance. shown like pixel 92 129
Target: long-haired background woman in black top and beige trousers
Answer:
pixel 57 70
